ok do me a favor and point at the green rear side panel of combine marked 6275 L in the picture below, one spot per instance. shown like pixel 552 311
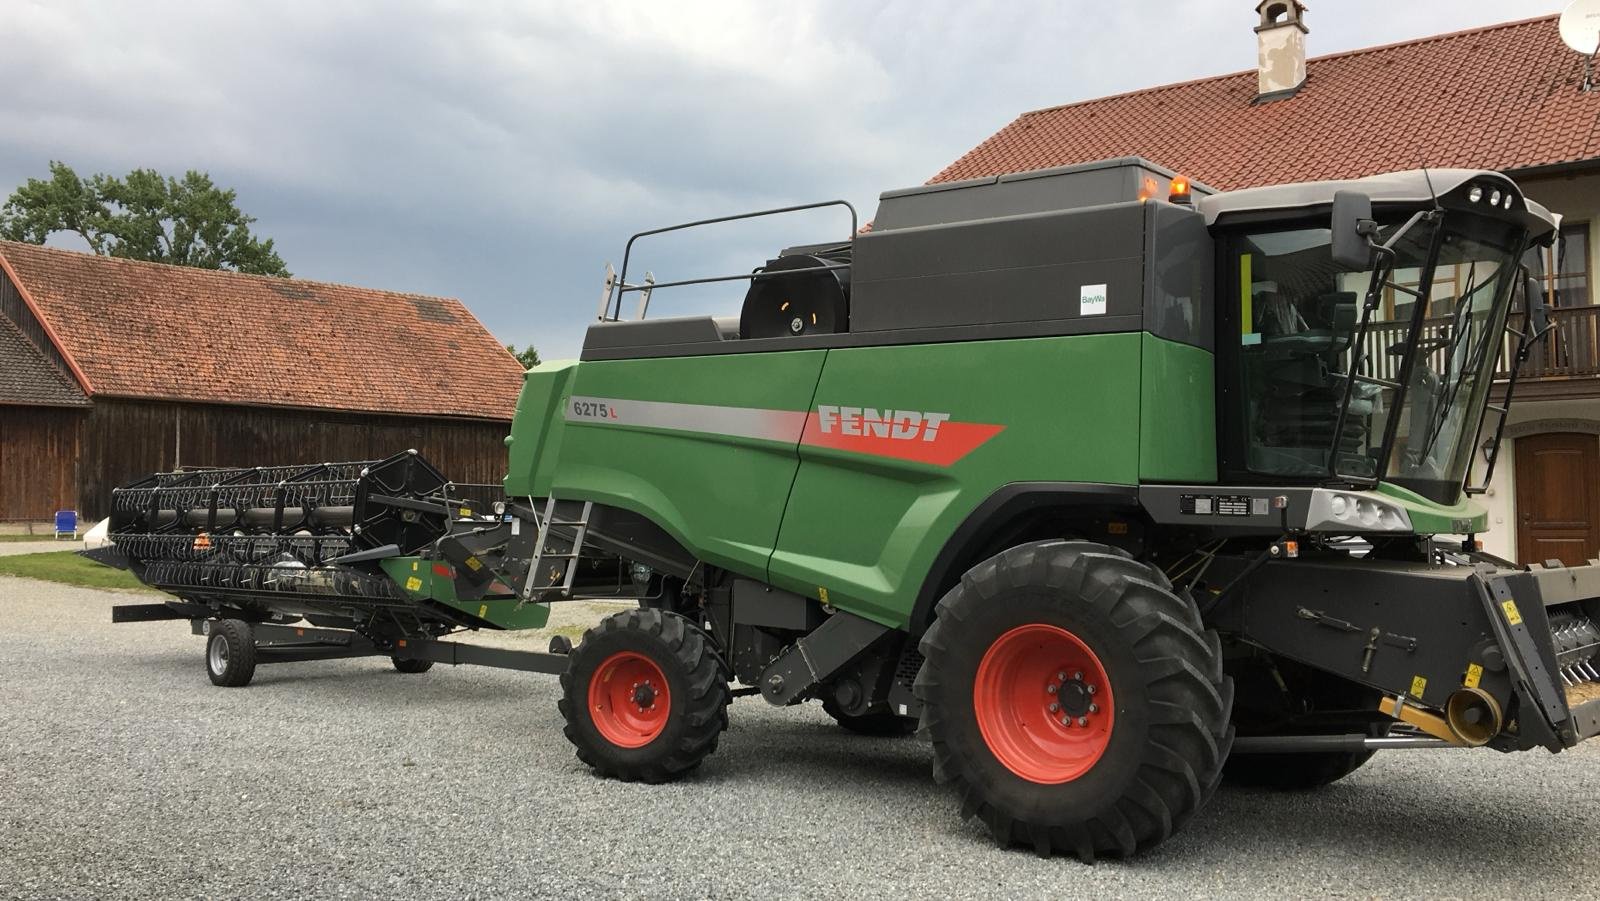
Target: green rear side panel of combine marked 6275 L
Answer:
pixel 721 495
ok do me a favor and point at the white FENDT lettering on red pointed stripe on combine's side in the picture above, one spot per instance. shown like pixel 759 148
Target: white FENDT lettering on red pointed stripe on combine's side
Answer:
pixel 900 434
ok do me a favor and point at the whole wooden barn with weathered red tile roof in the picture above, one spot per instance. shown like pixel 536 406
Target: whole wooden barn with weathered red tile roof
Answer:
pixel 114 369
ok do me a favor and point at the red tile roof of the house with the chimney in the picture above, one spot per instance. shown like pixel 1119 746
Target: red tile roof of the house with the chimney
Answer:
pixel 1502 98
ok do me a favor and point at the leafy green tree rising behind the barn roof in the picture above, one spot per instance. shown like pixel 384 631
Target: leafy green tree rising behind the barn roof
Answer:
pixel 185 222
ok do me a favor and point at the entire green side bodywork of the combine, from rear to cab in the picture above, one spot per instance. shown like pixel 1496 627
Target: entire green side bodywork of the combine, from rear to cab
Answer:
pixel 732 479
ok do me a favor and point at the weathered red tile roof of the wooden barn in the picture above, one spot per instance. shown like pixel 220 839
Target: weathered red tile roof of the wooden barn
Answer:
pixel 196 335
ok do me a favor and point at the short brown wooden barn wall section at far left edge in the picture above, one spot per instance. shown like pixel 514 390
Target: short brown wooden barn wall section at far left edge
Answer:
pixel 39 457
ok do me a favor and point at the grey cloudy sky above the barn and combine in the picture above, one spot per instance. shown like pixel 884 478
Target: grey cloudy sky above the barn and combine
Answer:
pixel 503 153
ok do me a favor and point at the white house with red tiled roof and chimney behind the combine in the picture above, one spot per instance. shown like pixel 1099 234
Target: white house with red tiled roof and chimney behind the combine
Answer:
pixel 1508 97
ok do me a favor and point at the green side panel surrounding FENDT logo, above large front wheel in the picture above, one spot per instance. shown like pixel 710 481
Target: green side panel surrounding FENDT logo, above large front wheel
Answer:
pixel 866 529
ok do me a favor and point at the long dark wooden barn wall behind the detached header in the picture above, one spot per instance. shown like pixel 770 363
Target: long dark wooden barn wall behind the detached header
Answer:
pixel 129 439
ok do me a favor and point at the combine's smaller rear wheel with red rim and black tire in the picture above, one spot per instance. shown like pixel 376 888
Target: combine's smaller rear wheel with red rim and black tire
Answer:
pixel 646 697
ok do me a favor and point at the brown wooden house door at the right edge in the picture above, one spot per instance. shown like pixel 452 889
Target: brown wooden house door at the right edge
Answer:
pixel 1558 499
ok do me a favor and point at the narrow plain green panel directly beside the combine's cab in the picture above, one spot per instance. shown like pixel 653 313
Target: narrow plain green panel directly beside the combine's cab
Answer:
pixel 1177 412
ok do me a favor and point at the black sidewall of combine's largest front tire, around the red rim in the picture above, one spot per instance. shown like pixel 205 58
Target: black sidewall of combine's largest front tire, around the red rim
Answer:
pixel 1110 779
